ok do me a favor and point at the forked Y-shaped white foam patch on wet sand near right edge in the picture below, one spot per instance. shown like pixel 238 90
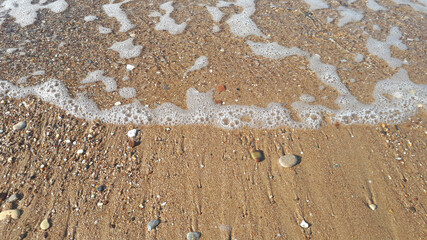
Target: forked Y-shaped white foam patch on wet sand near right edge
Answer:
pixel 382 49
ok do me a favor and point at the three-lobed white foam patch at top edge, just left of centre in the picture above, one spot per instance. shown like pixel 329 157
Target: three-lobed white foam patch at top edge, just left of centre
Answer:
pixel 166 22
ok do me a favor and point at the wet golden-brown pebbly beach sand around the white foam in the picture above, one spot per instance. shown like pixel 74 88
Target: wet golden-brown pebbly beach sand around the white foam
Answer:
pixel 202 178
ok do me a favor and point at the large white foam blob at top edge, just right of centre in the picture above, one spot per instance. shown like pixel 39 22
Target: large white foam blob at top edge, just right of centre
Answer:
pixel 241 23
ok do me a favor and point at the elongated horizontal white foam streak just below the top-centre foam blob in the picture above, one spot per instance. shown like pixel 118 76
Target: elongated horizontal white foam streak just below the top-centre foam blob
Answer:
pixel 274 50
